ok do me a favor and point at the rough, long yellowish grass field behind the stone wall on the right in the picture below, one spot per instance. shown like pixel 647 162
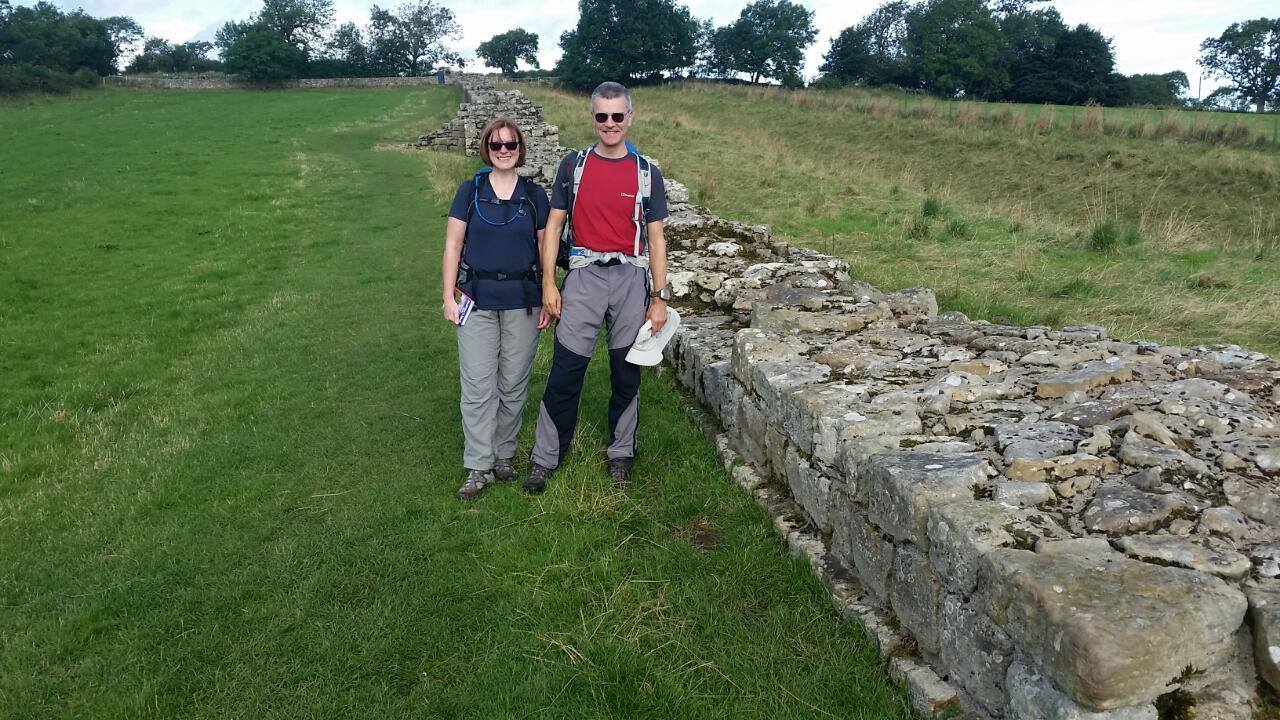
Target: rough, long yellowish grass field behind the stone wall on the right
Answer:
pixel 1158 239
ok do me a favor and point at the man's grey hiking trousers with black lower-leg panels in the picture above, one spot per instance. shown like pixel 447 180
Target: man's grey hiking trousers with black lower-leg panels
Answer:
pixel 616 298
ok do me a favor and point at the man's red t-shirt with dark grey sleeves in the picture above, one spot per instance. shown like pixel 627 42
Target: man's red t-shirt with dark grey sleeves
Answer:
pixel 605 213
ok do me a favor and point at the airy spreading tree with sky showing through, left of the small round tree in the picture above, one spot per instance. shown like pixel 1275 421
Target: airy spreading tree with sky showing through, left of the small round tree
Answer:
pixel 412 40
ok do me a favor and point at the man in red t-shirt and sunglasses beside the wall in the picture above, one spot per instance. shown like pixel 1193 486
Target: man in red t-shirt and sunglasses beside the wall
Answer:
pixel 609 284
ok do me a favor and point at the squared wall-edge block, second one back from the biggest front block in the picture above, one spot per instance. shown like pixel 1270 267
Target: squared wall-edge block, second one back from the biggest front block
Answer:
pixel 903 489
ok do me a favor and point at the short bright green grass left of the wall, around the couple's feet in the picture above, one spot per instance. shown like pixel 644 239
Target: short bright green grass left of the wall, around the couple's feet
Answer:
pixel 230 445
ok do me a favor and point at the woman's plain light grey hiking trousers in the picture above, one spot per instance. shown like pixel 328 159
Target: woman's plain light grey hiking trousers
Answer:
pixel 496 357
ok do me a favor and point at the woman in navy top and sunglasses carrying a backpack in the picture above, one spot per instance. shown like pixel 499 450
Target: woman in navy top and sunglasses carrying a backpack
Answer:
pixel 491 258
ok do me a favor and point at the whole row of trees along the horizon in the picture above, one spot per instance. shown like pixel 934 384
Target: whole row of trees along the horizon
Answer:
pixel 1008 51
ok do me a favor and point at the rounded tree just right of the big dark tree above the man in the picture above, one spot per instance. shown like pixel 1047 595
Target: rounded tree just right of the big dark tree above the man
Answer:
pixel 767 40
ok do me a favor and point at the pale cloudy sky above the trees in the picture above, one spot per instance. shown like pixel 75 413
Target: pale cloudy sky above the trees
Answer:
pixel 1150 37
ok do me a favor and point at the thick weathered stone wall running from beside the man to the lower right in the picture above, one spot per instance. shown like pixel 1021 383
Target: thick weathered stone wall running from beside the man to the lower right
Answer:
pixel 1032 523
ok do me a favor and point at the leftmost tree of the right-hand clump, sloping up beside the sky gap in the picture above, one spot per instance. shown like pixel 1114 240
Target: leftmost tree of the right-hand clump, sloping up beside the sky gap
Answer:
pixel 875 51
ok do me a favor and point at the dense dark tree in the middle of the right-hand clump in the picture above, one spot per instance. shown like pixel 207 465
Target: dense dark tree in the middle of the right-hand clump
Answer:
pixel 956 47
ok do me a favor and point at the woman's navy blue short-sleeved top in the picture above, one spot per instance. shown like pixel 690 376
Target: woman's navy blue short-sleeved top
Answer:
pixel 511 248
